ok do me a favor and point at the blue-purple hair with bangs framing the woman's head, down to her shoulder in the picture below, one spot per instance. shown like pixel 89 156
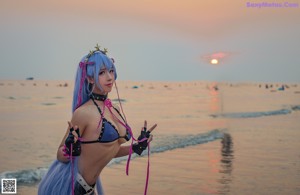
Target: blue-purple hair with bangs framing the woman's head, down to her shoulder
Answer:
pixel 89 66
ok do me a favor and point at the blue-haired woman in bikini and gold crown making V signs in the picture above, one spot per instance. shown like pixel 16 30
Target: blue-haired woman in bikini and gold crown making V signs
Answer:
pixel 95 133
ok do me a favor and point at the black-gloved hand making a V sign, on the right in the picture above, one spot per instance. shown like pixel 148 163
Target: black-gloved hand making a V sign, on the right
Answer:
pixel 144 138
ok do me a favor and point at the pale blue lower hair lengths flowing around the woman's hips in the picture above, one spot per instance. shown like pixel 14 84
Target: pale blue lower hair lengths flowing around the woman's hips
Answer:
pixel 58 179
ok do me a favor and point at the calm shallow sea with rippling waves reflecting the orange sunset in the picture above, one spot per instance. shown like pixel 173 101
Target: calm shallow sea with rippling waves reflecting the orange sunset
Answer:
pixel 212 138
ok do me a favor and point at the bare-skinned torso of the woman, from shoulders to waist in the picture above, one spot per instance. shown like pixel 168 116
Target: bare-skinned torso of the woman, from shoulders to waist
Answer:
pixel 95 156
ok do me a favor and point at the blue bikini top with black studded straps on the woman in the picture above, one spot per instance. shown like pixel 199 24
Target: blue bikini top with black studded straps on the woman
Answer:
pixel 109 132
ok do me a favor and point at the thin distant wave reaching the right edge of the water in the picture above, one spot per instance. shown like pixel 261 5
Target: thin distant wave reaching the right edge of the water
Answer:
pixel 258 114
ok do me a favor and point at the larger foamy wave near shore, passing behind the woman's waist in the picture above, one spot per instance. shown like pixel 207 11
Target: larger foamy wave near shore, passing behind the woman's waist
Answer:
pixel 164 143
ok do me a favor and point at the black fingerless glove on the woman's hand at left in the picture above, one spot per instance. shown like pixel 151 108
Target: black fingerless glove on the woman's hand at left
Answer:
pixel 76 148
